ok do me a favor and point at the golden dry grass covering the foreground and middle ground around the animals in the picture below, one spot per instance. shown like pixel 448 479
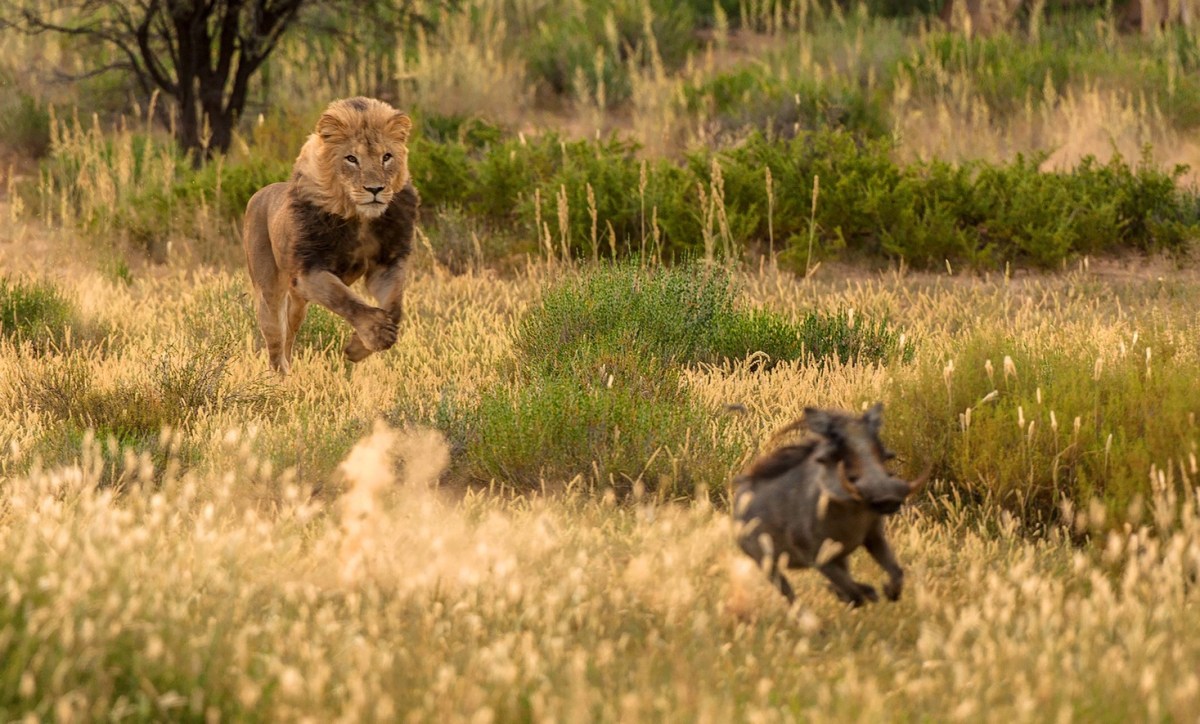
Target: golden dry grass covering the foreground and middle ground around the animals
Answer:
pixel 214 584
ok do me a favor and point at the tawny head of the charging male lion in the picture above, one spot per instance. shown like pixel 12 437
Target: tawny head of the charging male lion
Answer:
pixel 361 158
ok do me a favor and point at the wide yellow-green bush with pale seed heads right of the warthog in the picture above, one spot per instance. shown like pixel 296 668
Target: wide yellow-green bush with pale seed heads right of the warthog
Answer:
pixel 1057 426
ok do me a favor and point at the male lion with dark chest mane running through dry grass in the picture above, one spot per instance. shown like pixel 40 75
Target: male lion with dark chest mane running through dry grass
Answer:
pixel 347 213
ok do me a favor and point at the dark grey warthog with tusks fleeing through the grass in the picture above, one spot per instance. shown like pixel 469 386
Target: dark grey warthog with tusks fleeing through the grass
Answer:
pixel 812 505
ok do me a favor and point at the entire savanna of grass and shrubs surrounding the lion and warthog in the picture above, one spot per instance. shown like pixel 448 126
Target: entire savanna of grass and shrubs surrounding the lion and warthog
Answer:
pixel 652 235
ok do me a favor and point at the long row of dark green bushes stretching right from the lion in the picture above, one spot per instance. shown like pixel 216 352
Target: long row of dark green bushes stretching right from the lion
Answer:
pixel 976 214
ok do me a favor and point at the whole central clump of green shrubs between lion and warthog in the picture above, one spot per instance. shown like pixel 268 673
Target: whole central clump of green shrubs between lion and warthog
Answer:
pixel 597 388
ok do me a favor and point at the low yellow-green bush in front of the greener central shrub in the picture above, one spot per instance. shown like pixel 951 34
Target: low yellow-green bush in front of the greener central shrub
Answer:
pixel 640 427
